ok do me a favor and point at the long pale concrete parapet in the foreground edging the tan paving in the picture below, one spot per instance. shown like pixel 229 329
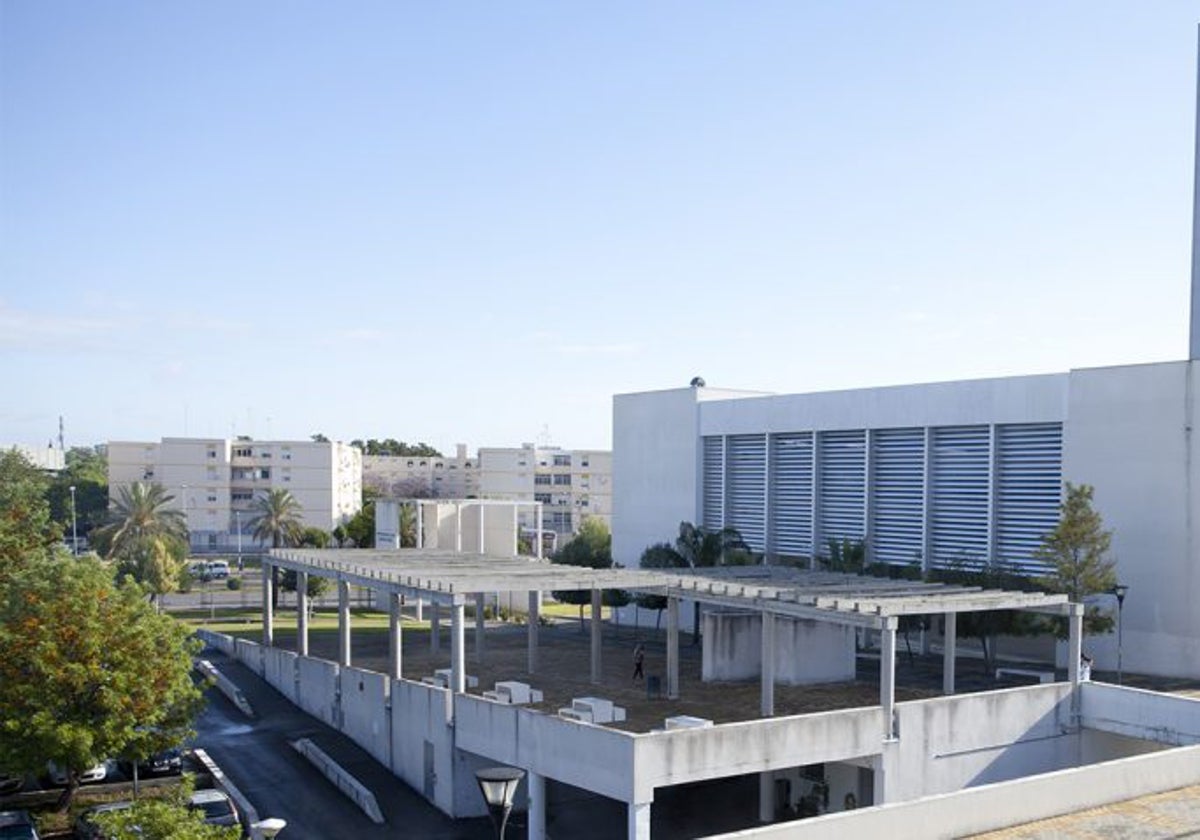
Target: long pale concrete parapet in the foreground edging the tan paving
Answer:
pixel 993 807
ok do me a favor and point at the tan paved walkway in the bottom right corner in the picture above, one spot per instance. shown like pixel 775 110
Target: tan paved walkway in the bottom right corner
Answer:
pixel 1175 814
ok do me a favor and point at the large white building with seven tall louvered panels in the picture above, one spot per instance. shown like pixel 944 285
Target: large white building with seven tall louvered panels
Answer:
pixel 939 475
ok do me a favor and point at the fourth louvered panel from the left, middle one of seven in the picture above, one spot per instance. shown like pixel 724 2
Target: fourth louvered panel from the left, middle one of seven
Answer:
pixel 842 460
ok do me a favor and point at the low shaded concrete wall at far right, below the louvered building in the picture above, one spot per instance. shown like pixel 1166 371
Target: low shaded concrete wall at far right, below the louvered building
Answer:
pixel 1166 719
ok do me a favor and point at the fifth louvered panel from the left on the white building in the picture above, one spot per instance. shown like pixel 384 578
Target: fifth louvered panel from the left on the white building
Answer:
pixel 898 487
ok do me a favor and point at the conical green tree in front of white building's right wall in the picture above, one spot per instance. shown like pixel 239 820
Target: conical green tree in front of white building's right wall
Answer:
pixel 1078 555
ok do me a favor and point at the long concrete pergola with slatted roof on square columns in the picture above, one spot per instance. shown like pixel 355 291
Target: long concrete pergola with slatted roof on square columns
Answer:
pixel 451 579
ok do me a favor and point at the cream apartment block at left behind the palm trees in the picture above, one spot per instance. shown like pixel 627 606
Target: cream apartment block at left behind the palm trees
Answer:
pixel 215 481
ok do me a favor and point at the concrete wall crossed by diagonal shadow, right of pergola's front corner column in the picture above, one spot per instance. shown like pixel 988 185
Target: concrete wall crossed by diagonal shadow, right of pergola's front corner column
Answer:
pixel 951 743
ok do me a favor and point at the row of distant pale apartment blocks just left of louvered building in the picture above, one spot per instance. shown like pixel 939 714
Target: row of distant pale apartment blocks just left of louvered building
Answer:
pixel 572 484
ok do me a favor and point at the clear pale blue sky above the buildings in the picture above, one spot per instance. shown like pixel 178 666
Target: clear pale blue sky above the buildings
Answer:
pixel 479 221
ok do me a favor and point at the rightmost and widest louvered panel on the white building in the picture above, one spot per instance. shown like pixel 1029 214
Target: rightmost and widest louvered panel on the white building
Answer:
pixel 1029 482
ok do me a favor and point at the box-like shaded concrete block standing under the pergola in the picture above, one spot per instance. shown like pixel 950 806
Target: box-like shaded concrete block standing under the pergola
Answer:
pixel 806 652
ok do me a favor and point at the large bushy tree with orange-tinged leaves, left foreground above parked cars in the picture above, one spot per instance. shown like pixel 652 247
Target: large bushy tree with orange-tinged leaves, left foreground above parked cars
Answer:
pixel 88 671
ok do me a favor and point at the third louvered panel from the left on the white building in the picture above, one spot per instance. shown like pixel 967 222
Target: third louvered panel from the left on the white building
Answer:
pixel 791 495
